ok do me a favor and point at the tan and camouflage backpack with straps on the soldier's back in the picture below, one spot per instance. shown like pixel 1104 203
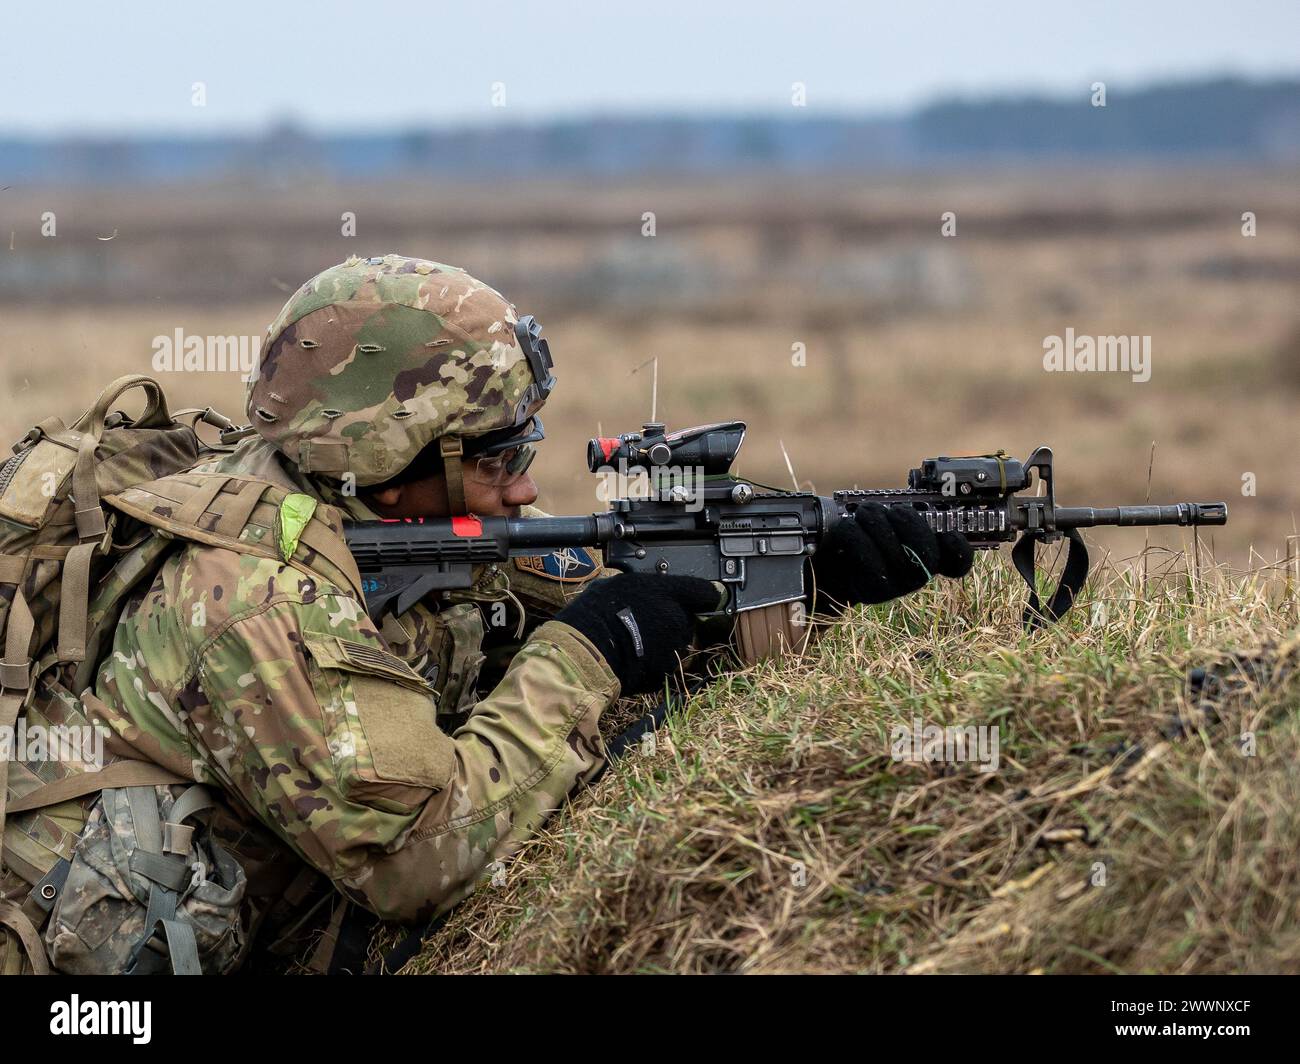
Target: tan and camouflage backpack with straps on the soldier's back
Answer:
pixel 88 514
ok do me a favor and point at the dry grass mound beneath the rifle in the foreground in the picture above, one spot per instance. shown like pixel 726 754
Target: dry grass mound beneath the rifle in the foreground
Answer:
pixel 1136 821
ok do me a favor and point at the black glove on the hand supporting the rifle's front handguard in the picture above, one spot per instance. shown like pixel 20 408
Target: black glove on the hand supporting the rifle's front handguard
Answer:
pixel 865 559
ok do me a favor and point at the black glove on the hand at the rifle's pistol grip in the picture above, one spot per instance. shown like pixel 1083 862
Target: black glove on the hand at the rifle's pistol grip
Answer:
pixel 640 621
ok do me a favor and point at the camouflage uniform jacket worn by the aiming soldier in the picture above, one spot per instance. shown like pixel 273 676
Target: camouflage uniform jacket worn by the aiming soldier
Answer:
pixel 244 673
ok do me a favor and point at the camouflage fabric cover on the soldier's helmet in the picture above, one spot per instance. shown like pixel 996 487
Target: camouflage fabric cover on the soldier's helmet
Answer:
pixel 374 360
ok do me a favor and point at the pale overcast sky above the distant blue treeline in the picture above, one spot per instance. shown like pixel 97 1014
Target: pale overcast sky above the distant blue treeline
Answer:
pixel 89 66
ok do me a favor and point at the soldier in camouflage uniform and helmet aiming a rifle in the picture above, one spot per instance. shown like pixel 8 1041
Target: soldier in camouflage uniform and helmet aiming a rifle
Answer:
pixel 395 388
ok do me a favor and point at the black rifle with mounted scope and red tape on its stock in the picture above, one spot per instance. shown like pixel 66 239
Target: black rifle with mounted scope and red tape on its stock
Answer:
pixel 699 520
